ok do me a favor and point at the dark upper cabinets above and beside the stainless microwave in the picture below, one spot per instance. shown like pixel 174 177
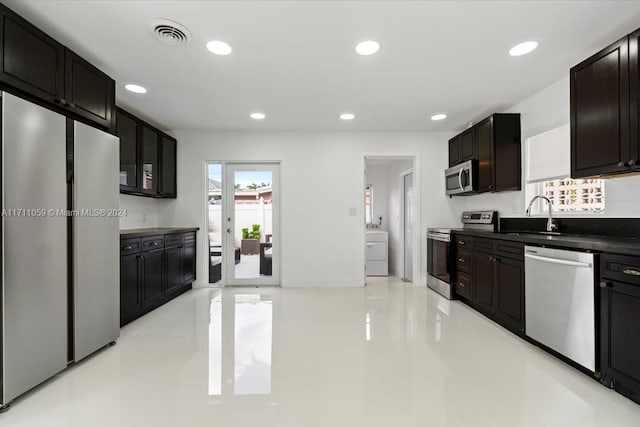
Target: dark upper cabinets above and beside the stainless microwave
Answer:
pixel 495 145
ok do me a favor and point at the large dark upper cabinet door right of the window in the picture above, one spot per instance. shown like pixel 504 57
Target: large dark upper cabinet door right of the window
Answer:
pixel 599 104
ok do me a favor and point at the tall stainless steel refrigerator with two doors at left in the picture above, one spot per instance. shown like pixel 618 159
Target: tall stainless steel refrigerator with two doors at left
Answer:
pixel 60 273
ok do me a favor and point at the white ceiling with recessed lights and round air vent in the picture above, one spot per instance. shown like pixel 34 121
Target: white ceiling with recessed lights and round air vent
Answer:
pixel 295 60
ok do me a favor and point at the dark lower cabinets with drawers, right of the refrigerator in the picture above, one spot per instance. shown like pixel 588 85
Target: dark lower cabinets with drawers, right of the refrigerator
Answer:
pixel 154 269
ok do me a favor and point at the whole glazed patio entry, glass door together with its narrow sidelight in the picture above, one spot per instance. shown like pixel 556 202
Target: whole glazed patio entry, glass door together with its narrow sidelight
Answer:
pixel 243 223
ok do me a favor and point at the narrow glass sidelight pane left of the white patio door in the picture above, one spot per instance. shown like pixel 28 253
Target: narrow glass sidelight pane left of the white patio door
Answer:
pixel 215 221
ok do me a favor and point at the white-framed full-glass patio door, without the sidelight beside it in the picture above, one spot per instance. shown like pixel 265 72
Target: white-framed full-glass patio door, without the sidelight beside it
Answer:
pixel 251 224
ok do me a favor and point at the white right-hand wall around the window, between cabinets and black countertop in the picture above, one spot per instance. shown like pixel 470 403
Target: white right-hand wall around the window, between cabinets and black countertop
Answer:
pixel 543 111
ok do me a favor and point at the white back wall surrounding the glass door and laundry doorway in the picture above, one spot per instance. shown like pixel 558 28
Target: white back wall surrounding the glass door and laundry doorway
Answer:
pixel 322 178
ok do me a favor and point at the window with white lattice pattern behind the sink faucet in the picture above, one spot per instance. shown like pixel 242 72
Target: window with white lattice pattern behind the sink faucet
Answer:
pixel 573 195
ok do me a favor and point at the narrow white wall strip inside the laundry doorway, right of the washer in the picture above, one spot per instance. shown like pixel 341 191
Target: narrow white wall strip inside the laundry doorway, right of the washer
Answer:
pixel 396 213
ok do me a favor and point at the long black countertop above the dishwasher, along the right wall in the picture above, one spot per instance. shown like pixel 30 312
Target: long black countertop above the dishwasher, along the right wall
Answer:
pixel 616 245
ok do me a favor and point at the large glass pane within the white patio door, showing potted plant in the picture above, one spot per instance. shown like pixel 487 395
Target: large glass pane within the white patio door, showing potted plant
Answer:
pixel 253 223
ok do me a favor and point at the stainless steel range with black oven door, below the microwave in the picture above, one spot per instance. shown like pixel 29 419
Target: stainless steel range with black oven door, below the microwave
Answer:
pixel 439 255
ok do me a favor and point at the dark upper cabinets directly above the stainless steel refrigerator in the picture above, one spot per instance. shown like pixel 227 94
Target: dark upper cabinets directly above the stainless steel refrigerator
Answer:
pixel 42 69
